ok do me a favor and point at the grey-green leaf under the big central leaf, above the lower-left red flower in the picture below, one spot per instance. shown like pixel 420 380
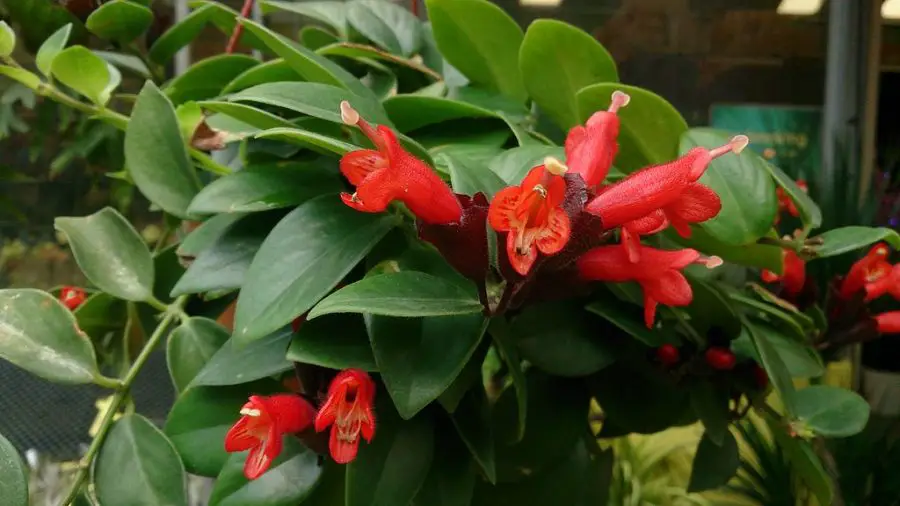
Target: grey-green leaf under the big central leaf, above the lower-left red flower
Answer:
pixel 233 364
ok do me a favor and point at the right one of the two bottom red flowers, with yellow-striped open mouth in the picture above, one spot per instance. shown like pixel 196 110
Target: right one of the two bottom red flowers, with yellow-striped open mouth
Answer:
pixel 348 408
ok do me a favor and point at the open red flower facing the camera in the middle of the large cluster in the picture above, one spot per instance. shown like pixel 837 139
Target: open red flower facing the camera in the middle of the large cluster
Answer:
pixel 532 215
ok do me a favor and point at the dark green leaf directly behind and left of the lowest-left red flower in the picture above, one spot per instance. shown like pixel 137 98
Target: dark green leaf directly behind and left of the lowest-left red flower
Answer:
pixel 201 417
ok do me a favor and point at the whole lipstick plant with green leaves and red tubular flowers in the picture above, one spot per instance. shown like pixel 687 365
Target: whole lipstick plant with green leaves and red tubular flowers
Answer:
pixel 383 283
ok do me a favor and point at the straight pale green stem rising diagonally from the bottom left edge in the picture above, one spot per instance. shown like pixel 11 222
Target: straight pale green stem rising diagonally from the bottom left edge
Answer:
pixel 118 399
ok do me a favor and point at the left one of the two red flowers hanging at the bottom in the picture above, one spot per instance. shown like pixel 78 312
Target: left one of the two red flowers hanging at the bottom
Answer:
pixel 260 429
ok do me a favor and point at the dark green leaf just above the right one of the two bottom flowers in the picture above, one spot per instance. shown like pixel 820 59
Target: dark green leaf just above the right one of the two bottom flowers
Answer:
pixel 335 341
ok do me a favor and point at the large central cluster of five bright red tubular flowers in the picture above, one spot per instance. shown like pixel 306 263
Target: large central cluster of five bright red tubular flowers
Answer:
pixel 536 219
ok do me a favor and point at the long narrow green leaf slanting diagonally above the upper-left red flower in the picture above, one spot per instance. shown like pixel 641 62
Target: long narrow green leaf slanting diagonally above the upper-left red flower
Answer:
pixel 308 64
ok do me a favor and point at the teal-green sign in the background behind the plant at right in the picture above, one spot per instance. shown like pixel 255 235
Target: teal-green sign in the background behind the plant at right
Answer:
pixel 787 136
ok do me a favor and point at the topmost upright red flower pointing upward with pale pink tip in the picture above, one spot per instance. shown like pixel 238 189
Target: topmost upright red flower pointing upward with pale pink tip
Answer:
pixel 590 149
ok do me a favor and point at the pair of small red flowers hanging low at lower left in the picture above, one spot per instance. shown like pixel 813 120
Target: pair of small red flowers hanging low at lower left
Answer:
pixel 348 410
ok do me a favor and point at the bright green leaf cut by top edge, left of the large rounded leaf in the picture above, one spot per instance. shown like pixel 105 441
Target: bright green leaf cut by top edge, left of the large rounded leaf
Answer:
pixel 480 40
